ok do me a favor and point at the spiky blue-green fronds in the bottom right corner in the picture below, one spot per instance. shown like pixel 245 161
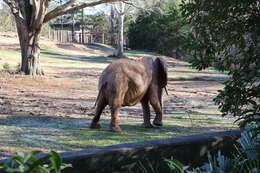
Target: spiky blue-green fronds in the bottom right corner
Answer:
pixel 246 159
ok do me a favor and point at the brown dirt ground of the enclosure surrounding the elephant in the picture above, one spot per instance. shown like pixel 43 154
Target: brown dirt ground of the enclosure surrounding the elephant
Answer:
pixel 65 96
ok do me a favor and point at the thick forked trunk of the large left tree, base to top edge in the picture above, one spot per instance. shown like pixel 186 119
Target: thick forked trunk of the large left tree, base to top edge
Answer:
pixel 29 30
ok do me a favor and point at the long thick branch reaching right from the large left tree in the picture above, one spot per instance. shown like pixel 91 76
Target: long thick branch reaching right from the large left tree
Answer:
pixel 62 9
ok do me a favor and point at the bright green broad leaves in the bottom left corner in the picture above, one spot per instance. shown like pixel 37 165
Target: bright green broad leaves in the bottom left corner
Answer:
pixel 29 163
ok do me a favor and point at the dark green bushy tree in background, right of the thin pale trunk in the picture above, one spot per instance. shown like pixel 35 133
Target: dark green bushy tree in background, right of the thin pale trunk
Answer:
pixel 160 32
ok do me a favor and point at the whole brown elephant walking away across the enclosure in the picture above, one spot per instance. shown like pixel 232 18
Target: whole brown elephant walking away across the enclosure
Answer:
pixel 125 82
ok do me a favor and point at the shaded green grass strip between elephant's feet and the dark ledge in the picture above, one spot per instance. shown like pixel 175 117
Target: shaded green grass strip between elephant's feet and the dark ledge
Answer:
pixel 73 133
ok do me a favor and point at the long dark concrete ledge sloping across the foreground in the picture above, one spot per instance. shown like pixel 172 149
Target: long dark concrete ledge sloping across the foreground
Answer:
pixel 188 149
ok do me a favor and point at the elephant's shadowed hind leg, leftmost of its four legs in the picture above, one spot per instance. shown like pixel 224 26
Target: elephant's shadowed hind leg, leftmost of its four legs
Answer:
pixel 101 104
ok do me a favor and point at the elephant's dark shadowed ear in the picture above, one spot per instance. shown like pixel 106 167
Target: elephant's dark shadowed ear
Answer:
pixel 162 73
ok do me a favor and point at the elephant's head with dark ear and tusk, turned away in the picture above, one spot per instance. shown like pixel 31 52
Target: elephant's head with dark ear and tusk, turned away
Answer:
pixel 160 75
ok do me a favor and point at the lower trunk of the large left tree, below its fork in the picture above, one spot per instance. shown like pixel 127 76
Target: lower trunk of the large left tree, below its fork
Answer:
pixel 30 50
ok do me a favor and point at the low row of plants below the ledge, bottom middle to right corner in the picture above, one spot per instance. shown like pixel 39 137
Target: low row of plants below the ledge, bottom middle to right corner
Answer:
pixel 246 158
